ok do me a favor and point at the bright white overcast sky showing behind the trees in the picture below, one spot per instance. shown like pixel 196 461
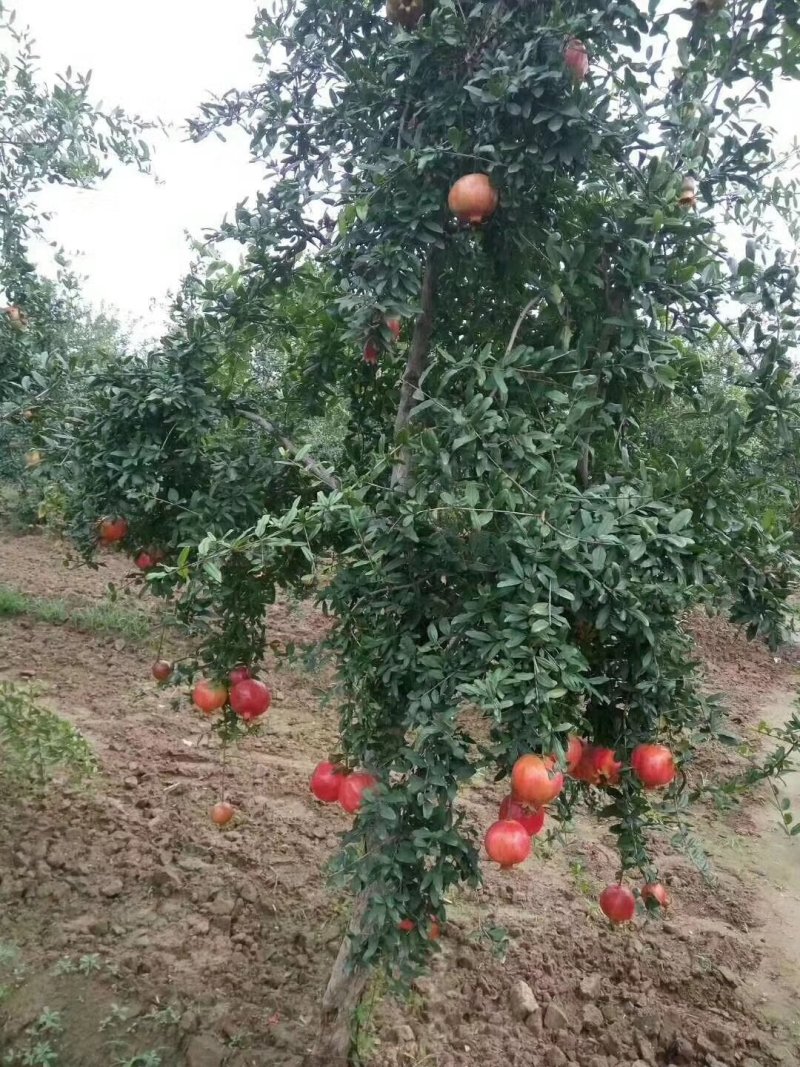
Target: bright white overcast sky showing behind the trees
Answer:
pixel 161 58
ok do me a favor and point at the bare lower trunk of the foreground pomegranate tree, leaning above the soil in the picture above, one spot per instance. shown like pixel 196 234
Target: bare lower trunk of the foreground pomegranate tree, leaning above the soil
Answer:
pixel 341 1000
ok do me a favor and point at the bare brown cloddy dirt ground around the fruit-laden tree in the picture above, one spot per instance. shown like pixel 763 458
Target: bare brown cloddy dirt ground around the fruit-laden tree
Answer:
pixel 163 942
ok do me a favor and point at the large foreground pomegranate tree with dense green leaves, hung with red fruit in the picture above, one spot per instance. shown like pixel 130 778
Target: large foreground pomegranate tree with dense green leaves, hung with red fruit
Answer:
pixel 506 548
